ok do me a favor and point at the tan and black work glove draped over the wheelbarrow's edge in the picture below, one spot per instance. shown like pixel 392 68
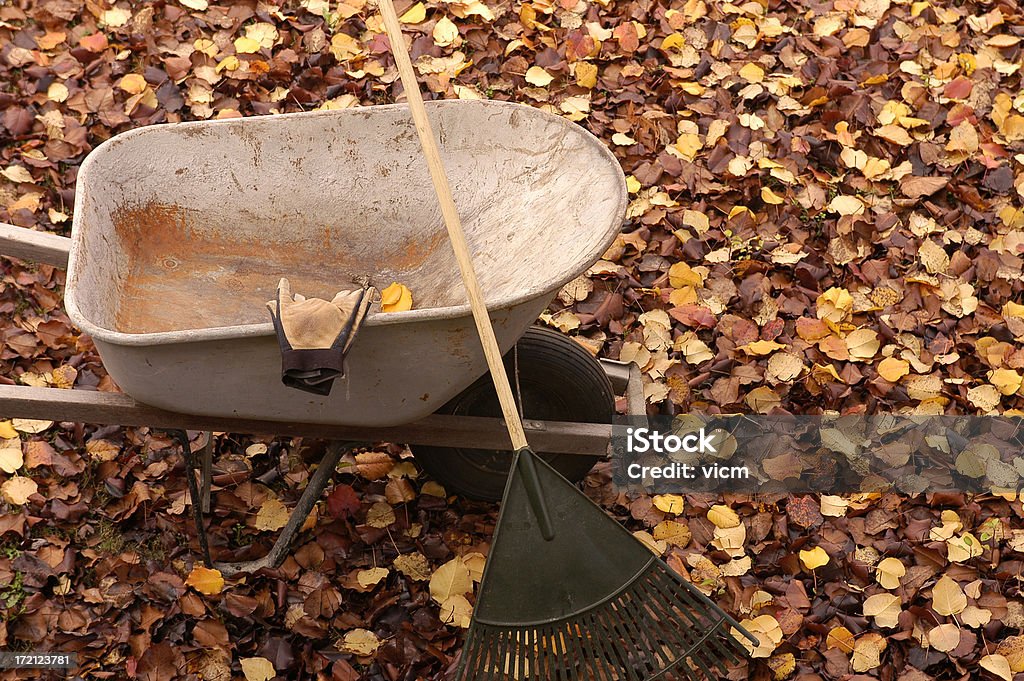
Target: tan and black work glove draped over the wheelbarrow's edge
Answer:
pixel 316 335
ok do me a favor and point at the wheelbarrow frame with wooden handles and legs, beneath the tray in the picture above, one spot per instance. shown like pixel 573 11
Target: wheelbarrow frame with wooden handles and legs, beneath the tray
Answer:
pixel 438 430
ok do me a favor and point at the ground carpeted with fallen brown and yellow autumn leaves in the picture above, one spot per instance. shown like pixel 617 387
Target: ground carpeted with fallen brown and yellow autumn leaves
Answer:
pixel 827 215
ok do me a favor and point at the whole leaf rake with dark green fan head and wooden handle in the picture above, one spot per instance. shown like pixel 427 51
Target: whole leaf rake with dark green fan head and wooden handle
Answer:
pixel 587 601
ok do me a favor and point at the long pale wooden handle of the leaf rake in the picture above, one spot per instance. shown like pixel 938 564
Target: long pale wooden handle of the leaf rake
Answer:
pixel 454 226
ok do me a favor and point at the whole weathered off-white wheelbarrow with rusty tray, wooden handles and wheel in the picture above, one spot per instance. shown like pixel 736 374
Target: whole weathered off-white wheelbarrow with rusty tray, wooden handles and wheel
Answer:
pixel 183 232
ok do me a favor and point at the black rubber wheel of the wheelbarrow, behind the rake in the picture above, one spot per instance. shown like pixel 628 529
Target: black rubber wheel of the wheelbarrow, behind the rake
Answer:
pixel 559 380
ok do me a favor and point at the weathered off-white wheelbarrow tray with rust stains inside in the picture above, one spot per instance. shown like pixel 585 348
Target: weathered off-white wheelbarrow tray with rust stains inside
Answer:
pixel 182 233
